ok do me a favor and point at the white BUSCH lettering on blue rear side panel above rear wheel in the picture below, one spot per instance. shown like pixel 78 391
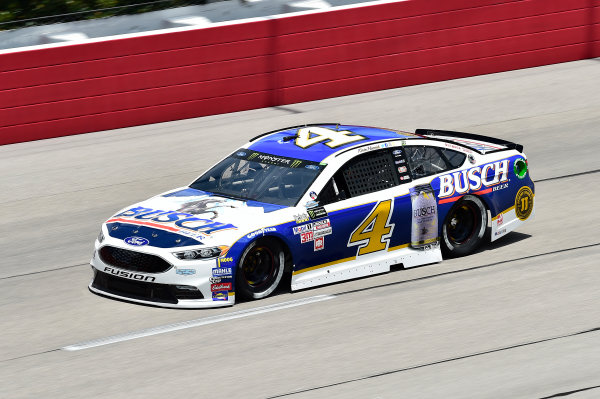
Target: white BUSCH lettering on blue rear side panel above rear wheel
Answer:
pixel 472 179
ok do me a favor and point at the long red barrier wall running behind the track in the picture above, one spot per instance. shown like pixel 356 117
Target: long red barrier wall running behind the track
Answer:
pixel 72 89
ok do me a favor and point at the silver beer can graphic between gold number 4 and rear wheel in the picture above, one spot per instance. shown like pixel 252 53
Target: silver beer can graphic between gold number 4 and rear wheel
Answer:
pixel 424 229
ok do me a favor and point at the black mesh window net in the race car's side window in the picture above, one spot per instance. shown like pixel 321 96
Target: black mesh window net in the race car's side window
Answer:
pixel 371 172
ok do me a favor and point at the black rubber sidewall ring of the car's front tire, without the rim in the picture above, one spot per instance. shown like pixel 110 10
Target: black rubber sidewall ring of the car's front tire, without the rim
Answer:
pixel 242 288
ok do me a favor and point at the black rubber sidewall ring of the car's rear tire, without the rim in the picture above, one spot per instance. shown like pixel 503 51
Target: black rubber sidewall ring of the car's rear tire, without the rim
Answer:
pixel 453 250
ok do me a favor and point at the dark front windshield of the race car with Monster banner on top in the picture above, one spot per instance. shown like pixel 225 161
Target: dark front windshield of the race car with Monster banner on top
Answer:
pixel 253 175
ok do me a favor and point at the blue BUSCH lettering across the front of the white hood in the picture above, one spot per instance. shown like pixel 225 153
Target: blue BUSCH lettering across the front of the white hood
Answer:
pixel 180 222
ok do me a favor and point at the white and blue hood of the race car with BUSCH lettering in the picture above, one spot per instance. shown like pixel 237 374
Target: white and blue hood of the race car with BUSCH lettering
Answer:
pixel 186 217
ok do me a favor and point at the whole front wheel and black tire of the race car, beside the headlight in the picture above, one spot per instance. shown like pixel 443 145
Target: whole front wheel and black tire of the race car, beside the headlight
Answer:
pixel 260 269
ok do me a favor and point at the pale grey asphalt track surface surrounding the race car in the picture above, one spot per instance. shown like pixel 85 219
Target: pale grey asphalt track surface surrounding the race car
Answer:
pixel 518 319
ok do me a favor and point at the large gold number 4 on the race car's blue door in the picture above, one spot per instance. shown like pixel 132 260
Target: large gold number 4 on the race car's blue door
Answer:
pixel 375 231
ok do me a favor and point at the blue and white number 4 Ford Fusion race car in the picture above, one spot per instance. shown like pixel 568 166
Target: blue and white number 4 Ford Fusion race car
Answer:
pixel 324 203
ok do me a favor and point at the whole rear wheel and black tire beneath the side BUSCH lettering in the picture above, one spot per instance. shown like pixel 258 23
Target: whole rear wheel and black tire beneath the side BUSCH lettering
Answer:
pixel 465 226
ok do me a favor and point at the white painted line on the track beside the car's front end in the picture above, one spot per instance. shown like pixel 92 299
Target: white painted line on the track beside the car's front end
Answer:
pixel 195 323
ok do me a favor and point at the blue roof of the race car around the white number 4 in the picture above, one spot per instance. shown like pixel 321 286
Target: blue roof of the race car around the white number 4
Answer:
pixel 282 142
